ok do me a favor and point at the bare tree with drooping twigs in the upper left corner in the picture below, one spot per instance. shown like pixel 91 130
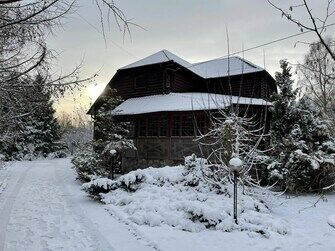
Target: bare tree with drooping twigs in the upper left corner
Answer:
pixel 24 26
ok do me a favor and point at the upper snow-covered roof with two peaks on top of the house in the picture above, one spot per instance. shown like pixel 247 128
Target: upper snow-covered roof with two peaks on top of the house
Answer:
pixel 209 69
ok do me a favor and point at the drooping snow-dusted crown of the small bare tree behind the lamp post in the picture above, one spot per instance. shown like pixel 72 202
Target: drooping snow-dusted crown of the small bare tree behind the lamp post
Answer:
pixel 234 134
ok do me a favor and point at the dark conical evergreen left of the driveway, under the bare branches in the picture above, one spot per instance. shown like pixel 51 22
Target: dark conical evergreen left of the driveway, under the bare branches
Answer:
pixel 37 133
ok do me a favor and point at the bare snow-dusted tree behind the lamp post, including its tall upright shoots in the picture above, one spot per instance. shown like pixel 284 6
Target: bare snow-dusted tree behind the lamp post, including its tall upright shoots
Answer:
pixel 235 133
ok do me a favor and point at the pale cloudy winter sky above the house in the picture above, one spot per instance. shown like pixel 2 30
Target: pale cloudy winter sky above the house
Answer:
pixel 192 29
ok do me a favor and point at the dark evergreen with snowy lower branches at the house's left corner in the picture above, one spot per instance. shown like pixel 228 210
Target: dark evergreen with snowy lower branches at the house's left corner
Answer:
pixel 110 142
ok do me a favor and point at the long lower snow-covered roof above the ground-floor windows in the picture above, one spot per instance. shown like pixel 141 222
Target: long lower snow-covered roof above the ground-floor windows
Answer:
pixel 182 102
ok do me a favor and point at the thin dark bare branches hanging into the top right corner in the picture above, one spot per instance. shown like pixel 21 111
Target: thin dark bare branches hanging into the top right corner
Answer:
pixel 315 24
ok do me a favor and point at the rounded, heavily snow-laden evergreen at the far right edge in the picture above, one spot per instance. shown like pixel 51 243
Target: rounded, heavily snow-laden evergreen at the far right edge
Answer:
pixel 310 151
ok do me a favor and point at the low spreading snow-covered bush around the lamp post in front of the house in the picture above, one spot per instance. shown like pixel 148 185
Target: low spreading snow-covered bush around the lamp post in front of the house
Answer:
pixel 179 197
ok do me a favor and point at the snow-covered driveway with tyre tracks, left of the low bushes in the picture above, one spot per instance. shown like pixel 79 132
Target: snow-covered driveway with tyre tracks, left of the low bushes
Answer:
pixel 42 208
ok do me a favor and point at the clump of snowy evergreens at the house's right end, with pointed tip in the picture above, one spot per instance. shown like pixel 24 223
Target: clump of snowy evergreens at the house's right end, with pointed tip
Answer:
pixel 303 149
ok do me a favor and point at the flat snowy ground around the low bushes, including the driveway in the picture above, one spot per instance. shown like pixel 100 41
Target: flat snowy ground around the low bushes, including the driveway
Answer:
pixel 42 208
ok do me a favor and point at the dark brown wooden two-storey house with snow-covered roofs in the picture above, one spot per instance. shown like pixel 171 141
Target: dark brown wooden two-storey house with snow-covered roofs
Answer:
pixel 166 96
